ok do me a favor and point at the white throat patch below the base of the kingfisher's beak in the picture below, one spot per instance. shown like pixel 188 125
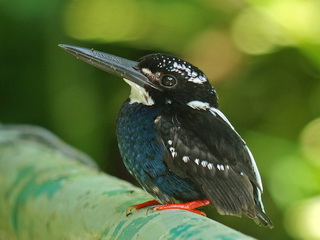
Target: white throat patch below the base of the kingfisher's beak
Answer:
pixel 139 94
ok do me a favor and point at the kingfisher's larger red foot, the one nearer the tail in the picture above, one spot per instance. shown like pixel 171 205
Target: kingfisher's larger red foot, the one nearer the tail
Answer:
pixel 189 206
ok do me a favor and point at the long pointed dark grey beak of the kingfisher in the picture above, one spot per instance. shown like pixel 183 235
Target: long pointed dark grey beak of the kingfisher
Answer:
pixel 115 65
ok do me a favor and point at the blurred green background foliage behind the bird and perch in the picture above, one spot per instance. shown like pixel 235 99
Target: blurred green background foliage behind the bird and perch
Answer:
pixel 262 56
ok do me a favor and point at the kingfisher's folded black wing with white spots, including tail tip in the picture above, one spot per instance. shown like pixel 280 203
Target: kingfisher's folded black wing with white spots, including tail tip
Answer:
pixel 219 163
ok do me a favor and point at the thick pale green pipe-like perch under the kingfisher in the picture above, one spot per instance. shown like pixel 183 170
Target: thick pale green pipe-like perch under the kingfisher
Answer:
pixel 48 190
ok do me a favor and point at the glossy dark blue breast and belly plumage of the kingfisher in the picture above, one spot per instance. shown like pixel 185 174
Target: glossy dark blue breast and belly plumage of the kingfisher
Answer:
pixel 143 154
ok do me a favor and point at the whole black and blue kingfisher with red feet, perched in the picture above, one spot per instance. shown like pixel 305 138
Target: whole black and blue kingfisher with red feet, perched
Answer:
pixel 176 142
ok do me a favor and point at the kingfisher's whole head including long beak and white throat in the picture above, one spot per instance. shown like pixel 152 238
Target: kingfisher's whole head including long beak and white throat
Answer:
pixel 155 78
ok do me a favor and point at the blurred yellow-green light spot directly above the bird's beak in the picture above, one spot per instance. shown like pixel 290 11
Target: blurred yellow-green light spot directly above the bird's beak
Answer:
pixel 106 21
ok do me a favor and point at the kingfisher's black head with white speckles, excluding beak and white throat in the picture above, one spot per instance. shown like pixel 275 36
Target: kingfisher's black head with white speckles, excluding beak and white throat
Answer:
pixel 178 81
